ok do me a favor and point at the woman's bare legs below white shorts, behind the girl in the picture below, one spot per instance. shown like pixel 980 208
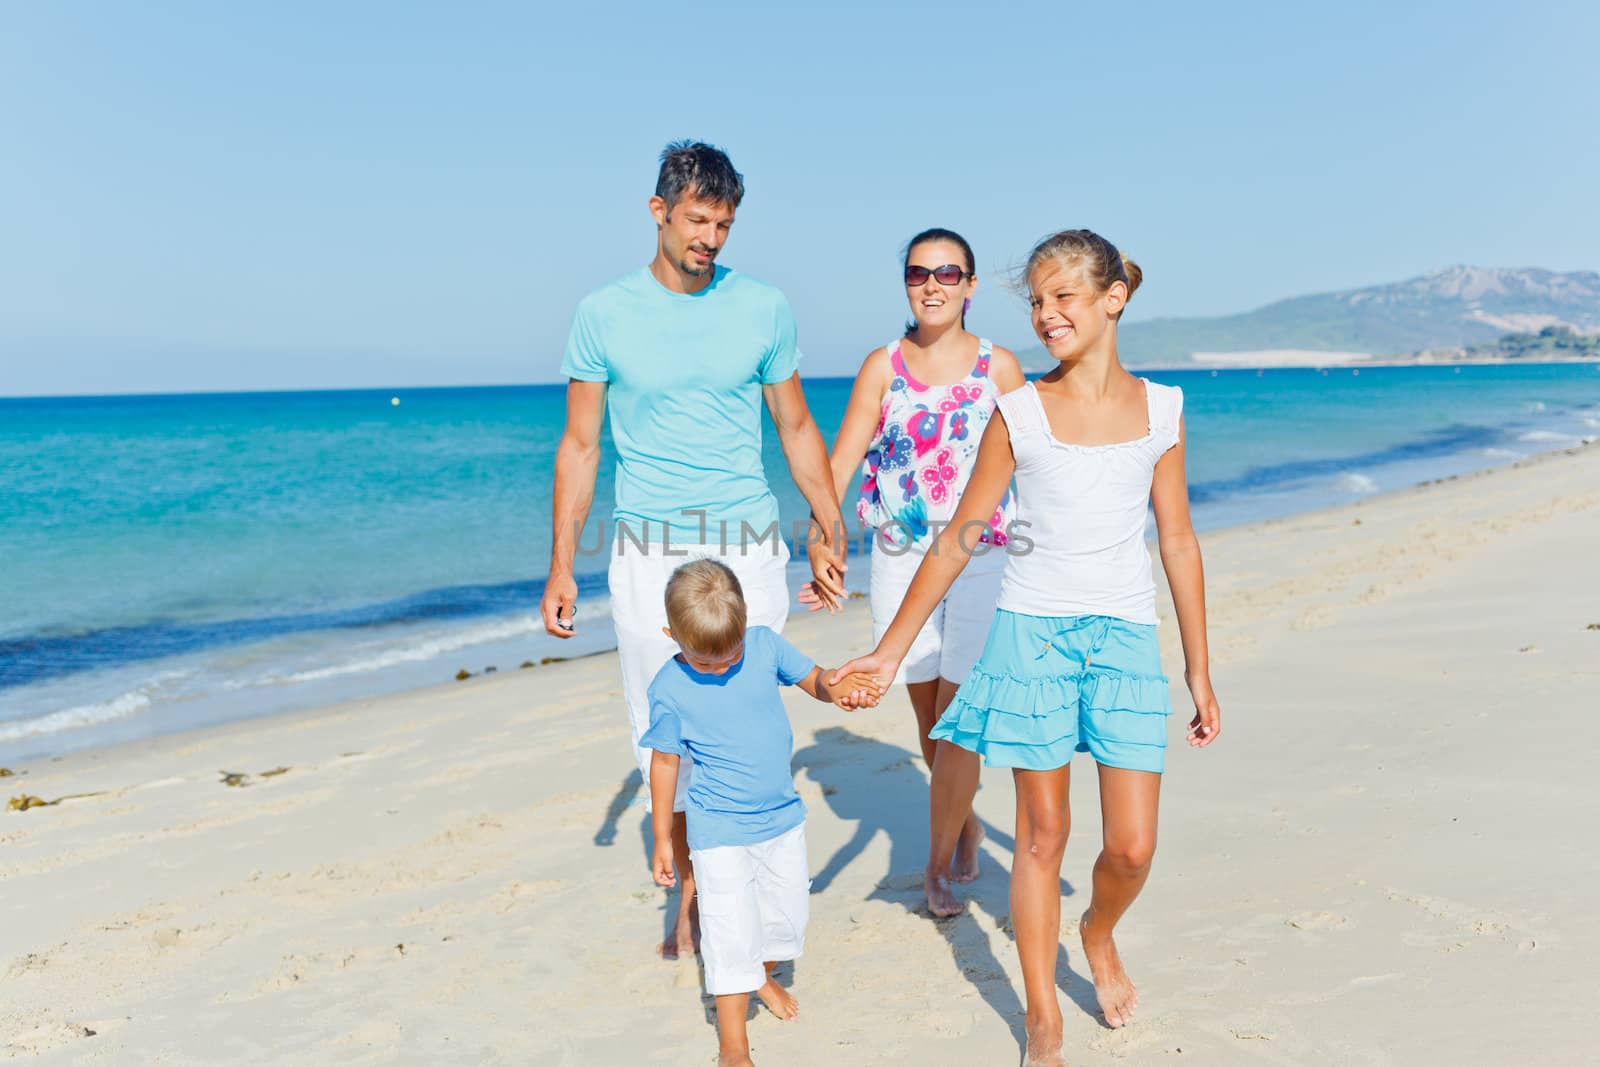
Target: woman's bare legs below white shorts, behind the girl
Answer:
pixel 954 831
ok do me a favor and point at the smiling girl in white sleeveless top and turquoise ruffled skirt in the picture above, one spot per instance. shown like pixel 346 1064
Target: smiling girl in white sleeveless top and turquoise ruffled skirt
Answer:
pixel 1071 663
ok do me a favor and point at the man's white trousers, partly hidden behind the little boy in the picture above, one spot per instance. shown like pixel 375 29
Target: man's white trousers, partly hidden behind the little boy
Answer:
pixel 639 588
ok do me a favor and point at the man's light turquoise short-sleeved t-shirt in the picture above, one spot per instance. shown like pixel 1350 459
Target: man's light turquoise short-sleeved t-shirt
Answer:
pixel 684 383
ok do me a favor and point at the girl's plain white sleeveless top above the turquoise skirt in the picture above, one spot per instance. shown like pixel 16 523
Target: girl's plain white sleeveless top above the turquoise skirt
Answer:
pixel 1087 510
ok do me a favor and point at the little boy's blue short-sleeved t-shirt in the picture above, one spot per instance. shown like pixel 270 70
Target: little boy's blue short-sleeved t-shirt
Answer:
pixel 735 729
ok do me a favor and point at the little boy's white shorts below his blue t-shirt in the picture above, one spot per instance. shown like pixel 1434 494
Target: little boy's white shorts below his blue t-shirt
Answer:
pixel 756 901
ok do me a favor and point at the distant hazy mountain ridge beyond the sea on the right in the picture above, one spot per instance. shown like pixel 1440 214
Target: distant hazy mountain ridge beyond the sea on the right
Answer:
pixel 1457 308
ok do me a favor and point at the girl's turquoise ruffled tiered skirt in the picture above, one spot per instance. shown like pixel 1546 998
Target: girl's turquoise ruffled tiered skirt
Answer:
pixel 1050 687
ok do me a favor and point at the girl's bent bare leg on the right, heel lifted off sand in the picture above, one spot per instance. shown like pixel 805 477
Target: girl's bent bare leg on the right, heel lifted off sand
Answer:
pixel 1129 809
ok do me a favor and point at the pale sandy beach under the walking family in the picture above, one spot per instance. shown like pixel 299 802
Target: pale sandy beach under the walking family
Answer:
pixel 1385 860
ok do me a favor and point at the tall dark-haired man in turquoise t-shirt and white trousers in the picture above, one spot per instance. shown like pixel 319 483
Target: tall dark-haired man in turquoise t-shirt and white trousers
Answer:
pixel 684 351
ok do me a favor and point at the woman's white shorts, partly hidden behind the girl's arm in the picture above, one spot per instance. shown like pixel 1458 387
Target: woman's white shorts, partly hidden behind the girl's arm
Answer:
pixel 951 641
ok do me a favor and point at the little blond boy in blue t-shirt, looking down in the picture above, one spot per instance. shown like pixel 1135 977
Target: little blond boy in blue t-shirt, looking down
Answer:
pixel 718 701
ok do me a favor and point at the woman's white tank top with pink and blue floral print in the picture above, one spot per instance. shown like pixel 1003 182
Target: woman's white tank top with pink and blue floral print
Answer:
pixel 924 452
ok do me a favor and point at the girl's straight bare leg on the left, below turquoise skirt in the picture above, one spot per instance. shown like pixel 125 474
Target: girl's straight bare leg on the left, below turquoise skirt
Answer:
pixel 1042 823
